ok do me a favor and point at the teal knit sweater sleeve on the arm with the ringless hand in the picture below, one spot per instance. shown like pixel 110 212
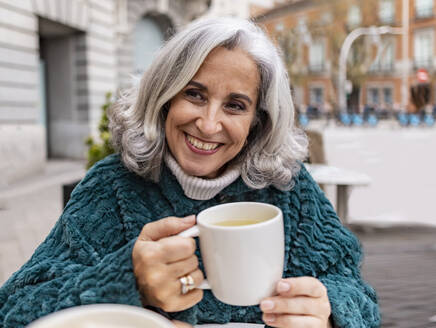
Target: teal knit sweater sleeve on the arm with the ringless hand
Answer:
pixel 330 252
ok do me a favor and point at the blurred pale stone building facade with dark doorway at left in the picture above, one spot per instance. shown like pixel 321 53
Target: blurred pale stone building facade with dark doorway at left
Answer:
pixel 58 59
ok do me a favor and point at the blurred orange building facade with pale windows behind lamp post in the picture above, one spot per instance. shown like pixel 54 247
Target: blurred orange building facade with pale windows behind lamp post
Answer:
pixel 311 32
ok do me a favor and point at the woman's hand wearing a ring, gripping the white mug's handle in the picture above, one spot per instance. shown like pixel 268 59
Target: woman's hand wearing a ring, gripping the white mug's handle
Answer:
pixel 160 259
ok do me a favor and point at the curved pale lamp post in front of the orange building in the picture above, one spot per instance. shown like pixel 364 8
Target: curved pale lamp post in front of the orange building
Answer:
pixel 345 49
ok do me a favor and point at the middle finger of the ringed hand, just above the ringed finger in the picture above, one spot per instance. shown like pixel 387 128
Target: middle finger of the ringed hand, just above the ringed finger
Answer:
pixel 176 248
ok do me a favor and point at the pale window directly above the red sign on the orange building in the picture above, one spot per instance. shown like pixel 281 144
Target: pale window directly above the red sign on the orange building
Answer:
pixel 423 48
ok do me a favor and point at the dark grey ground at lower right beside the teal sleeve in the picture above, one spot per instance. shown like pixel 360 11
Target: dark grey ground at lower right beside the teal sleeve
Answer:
pixel 400 263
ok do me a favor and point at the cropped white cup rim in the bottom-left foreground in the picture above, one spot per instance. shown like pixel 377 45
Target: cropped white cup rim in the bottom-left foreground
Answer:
pixel 103 316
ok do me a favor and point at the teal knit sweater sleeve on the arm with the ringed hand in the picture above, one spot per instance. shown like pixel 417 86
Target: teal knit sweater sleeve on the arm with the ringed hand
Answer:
pixel 83 260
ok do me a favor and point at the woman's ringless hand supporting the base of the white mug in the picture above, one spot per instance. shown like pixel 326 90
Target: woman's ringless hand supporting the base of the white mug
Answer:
pixel 301 302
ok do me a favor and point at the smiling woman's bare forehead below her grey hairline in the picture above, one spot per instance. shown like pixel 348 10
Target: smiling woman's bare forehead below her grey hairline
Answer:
pixel 232 68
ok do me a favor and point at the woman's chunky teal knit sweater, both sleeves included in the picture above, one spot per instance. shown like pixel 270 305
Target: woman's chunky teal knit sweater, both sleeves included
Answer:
pixel 86 258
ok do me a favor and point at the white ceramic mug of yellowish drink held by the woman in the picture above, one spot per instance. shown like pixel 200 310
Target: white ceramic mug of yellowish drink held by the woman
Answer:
pixel 242 263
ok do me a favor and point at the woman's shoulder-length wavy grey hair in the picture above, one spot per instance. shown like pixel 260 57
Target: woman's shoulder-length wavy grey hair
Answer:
pixel 274 145
